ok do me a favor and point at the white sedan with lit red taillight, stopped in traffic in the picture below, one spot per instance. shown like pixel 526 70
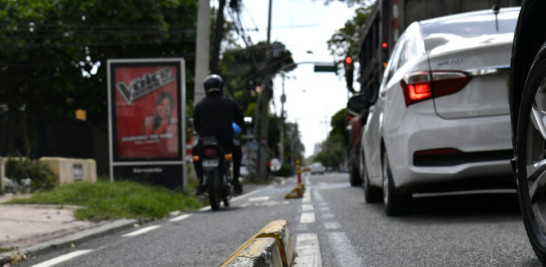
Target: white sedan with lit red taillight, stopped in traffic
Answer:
pixel 442 112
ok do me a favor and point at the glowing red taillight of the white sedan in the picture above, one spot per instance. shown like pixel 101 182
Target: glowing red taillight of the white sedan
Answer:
pixel 419 86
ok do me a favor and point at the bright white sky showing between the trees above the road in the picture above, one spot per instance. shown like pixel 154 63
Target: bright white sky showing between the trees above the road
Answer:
pixel 303 26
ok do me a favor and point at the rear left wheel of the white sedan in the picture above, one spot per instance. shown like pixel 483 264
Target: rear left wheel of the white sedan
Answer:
pixel 396 202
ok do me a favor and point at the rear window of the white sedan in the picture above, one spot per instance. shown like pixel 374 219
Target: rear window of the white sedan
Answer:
pixel 437 32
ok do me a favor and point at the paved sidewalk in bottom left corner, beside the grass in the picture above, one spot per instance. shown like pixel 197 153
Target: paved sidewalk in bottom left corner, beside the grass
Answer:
pixel 32 229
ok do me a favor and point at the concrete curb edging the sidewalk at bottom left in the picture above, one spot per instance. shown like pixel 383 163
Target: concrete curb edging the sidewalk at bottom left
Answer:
pixel 68 240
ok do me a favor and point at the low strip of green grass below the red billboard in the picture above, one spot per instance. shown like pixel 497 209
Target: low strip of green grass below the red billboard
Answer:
pixel 109 201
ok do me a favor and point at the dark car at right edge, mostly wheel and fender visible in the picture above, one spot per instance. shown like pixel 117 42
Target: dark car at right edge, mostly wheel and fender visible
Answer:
pixel 528 114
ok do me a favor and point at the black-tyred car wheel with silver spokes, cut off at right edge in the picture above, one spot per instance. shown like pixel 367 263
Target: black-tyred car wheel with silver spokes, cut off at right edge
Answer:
pixel 531 155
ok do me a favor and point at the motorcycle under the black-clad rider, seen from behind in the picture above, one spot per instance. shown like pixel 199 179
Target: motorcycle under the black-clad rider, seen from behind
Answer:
pixel 217 171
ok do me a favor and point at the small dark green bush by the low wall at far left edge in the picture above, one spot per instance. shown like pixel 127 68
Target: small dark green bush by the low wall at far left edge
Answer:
pixel 42 177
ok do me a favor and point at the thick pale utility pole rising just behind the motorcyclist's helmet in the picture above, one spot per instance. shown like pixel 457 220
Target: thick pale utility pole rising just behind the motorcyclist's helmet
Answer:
pixel 202 48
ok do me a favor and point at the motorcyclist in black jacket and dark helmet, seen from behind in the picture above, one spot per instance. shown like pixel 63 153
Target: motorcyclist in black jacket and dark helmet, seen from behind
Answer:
pixel 213 116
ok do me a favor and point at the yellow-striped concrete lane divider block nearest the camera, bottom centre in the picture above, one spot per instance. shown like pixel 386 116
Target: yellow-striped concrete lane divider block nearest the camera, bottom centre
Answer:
pixel 271 246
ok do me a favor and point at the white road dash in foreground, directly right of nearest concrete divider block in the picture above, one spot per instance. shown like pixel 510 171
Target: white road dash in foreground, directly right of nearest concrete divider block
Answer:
pixel 307 251
